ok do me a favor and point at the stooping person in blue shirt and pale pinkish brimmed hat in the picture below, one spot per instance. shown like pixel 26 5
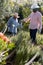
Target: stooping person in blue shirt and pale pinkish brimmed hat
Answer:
pixel 13 24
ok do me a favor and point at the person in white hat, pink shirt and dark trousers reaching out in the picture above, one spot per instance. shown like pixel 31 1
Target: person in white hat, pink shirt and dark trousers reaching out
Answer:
pixel 35 22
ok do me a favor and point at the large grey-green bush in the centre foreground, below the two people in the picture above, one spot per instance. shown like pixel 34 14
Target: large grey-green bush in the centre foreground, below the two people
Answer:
pixel 25 50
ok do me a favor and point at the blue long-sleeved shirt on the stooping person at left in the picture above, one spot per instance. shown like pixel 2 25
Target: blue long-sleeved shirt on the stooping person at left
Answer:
pixel 12 24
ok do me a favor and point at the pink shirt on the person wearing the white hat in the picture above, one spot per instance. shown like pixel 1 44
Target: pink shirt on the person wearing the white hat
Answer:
pixel 35 19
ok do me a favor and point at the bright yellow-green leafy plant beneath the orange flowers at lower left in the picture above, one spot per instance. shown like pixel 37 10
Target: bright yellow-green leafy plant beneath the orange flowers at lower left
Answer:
pixel 4 47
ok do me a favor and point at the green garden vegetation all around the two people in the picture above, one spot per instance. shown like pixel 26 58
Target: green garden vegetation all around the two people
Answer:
pixel 20 43
